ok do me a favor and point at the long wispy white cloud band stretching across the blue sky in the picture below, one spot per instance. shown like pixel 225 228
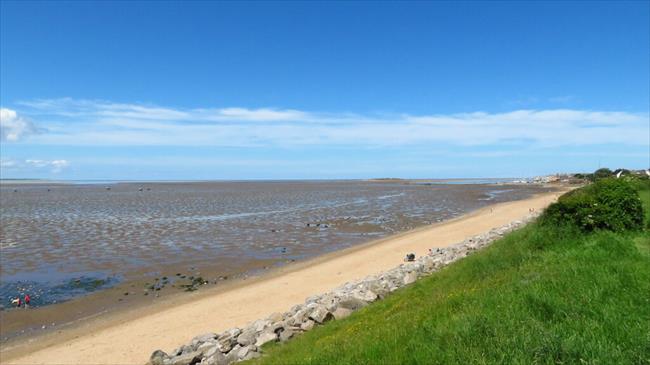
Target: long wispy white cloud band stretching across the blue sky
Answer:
pixel 85 122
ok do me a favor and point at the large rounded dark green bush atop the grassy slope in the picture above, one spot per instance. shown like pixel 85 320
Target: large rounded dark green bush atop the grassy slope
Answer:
pixel 608 204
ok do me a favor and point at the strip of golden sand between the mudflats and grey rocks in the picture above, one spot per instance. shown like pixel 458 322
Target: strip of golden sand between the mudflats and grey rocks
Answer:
pixel 129 337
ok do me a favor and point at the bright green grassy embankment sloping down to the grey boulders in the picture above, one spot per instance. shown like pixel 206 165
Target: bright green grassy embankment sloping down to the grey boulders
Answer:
pixel 548 293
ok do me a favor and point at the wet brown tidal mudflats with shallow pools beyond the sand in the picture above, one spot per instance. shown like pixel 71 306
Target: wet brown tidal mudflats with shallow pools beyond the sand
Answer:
pixel 62 241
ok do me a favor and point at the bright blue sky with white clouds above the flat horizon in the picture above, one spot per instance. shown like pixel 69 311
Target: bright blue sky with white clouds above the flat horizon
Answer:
pixel 198 90
